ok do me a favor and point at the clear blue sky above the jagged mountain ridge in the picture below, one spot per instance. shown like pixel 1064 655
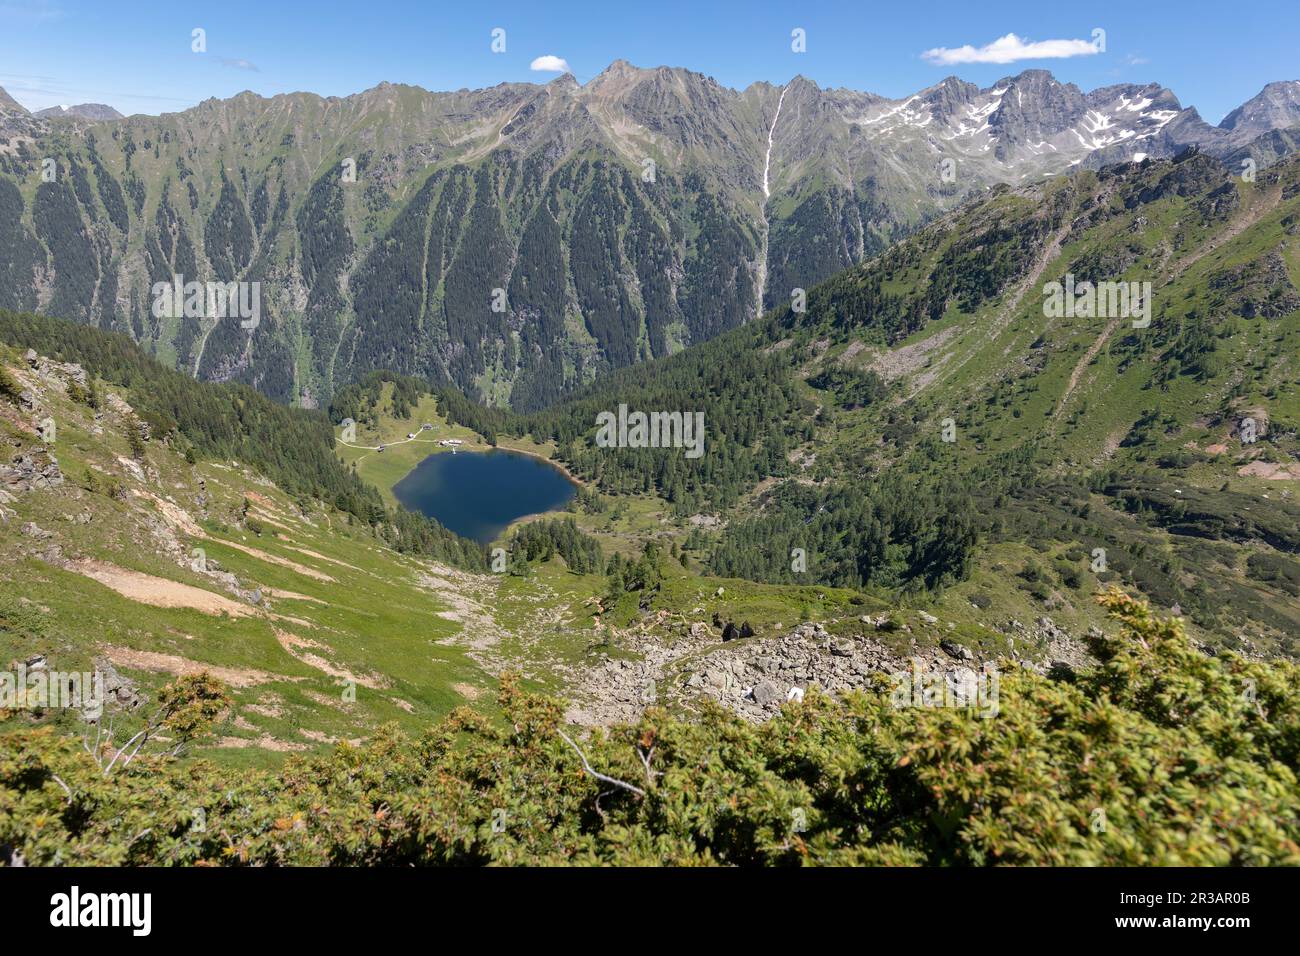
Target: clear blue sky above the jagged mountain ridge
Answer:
pixel 137 57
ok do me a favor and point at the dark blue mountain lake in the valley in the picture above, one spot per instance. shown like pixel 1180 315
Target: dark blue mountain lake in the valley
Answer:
pixel 479 494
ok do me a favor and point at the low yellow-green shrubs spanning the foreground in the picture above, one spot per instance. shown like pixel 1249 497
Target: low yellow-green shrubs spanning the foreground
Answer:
pixel 1162 755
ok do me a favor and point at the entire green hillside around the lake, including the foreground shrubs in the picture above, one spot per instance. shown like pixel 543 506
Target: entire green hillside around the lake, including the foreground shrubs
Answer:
pixel 926 470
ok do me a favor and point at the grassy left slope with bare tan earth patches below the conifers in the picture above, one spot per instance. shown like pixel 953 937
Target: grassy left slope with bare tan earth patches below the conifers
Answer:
pixel 129 551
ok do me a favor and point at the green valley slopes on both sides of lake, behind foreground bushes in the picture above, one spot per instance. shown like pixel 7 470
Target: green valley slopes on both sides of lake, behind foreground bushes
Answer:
pixel 926 465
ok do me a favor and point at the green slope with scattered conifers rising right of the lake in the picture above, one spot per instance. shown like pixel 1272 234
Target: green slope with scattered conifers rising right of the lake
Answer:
pixel 931 425
